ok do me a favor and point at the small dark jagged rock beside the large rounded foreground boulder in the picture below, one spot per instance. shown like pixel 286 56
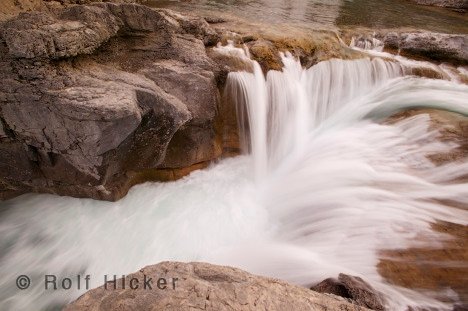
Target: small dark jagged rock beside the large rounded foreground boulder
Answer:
pixel 354 288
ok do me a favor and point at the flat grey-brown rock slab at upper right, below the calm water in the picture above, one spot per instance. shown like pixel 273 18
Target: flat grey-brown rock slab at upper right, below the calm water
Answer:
pixel 428 45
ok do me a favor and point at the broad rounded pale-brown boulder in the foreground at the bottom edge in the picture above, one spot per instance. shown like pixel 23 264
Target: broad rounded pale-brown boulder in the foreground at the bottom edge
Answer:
pixel 206 287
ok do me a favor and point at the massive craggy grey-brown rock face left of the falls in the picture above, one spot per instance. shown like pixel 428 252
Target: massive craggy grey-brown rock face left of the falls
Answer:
pixel 99 97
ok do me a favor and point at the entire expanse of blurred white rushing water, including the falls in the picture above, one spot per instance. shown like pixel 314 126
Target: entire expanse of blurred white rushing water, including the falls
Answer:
pixel 325 188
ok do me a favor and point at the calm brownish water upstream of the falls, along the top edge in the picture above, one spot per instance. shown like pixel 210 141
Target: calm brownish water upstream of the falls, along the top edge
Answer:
pixel 328 14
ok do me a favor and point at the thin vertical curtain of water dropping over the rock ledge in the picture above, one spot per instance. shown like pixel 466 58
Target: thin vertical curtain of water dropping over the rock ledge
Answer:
pixel 277 113
